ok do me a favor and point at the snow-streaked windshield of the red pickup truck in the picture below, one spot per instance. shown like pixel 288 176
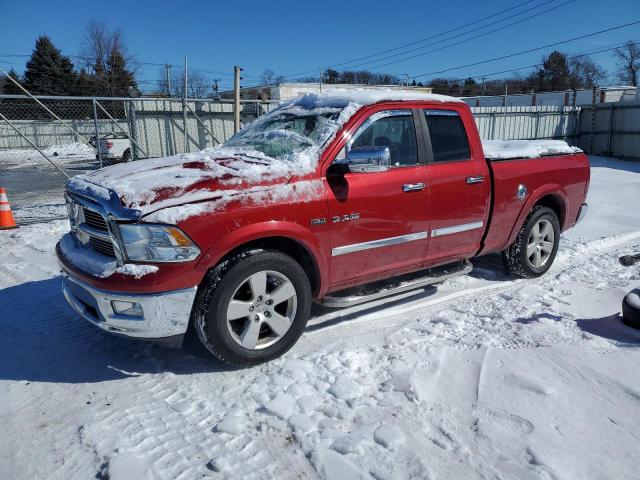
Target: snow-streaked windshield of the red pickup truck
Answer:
pixel 287 131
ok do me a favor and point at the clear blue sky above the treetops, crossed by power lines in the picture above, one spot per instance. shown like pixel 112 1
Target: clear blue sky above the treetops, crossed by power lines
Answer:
pixel 296 36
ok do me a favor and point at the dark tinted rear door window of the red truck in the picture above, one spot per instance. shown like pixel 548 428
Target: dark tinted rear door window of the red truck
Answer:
pixel 448 137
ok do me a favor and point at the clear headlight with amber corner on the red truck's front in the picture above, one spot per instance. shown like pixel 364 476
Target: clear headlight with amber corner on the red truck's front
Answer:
pixel 157 243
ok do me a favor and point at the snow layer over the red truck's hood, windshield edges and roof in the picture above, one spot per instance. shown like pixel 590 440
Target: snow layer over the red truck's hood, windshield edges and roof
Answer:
pixel 154 184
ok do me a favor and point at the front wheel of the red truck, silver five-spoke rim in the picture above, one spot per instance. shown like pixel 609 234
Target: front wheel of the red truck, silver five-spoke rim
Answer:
pixel 253 307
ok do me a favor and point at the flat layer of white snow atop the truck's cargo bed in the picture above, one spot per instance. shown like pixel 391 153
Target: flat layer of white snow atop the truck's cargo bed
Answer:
pixel 507 149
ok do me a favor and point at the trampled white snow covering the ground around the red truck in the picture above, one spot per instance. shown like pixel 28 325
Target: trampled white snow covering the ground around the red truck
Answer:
pixel 482 377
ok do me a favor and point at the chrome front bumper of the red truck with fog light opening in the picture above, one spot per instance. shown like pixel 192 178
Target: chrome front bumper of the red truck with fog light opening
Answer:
pixel 162 316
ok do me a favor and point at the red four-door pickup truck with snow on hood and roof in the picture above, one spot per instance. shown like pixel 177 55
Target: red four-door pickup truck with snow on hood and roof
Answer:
pixel 327 192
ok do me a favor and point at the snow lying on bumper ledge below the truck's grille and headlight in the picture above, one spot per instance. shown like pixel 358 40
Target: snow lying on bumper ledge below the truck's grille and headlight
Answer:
pixel 94 263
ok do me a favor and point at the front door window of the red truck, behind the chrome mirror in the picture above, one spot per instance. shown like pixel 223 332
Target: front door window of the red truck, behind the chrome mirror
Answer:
pixel 393 129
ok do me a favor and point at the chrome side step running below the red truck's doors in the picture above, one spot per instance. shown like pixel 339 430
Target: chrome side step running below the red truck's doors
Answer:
pixel 358 295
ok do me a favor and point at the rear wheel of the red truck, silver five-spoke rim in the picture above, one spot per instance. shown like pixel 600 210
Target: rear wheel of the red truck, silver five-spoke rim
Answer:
pixel 535 248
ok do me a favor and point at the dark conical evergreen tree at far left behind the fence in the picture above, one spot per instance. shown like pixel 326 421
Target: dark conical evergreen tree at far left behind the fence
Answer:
pixel 49 72
